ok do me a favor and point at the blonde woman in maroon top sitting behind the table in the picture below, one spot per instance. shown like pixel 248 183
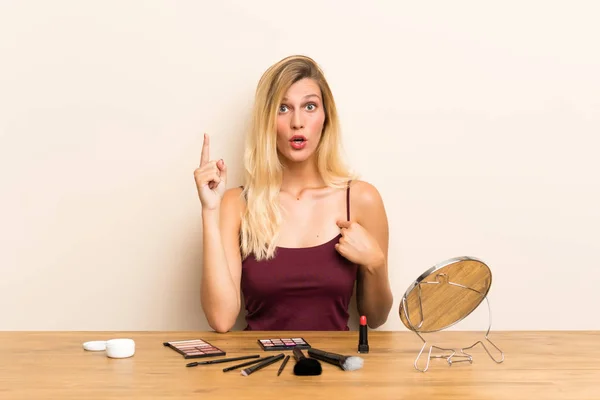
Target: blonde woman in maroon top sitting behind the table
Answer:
pixel 301 233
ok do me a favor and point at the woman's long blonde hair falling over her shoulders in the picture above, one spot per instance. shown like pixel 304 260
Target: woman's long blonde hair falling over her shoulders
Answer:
pixel 263 168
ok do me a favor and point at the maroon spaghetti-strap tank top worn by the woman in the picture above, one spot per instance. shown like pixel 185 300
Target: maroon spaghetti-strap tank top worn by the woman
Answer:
pixel 301 289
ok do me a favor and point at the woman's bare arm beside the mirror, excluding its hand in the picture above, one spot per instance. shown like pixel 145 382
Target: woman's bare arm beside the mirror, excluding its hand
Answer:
pixel 373 293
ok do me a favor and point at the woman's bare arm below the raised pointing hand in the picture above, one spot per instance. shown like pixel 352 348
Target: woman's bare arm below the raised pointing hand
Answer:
pixel 222 264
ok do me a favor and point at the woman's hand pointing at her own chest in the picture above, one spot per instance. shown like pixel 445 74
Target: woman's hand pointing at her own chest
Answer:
pixel 359 246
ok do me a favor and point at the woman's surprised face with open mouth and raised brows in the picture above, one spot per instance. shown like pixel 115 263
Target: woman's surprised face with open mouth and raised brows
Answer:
pixel 300 121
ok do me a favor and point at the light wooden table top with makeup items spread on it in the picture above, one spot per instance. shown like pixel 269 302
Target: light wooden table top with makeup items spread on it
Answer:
pixel 540 365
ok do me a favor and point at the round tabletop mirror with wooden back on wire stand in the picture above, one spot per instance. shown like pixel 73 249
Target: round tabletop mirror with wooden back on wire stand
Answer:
pixel 443 296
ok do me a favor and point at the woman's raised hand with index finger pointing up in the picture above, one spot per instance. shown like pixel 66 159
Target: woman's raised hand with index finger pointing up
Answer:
pixel 211 179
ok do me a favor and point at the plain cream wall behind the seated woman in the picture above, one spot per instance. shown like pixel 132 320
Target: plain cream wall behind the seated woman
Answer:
pixel 479 122
